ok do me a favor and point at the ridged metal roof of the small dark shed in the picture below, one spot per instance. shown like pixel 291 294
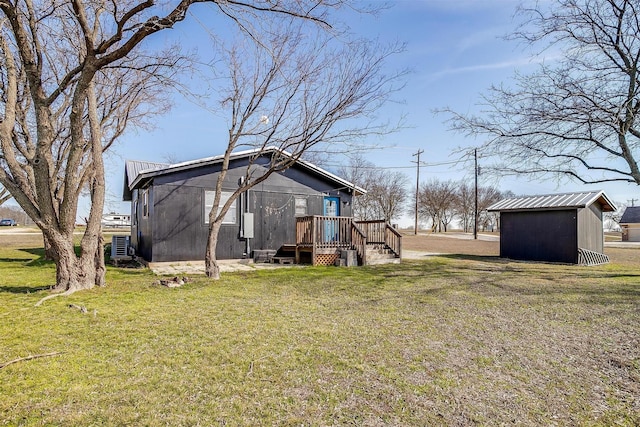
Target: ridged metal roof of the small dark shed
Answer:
pixel 554 201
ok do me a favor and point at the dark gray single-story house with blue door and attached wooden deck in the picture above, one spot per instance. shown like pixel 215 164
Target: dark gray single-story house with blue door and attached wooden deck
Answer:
pixel 301 210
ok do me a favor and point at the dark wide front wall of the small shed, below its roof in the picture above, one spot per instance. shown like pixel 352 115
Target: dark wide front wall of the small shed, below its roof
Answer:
pixel 549 236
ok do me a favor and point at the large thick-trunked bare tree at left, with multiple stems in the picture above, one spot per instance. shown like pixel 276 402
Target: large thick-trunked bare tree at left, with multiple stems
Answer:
pixel 73 74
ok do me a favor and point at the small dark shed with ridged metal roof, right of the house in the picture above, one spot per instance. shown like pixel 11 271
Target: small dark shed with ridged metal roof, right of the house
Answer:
pixel 563 228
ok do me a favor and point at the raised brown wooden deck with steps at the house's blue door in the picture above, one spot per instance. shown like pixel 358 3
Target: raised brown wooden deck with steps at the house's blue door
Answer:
pixel 322 238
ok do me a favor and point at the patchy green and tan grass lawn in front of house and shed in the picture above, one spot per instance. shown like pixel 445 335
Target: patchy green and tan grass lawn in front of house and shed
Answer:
pixel 445 341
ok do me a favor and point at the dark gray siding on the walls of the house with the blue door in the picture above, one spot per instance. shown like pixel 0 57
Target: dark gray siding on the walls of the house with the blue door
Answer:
pixel 179 231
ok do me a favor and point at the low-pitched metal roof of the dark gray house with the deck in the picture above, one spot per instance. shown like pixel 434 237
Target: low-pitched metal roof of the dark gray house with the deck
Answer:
pixel 137 171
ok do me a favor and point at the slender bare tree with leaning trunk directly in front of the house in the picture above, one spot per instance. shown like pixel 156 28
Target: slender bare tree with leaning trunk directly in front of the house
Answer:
pixel 294 91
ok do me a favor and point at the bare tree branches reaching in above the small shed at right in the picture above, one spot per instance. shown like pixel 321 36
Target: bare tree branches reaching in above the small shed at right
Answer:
pixel 576 117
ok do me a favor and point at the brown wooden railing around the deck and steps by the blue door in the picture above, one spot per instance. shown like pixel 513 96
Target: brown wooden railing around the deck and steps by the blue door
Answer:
pixel 327 232
